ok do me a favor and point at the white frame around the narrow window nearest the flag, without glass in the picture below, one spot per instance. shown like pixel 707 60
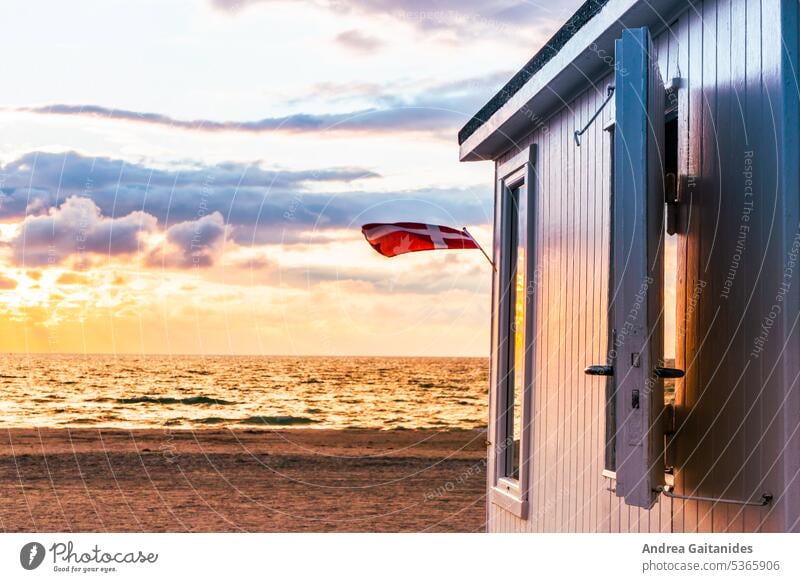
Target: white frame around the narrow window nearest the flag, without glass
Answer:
pixel 508 493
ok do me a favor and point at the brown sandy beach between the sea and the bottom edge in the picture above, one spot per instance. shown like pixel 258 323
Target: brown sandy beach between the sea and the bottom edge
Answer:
pixel 241 480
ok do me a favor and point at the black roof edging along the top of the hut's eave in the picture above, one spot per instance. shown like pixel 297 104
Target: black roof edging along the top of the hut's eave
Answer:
pixel 584 14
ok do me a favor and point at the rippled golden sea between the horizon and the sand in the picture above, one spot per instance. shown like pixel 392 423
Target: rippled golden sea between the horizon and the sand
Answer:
pixel 194 392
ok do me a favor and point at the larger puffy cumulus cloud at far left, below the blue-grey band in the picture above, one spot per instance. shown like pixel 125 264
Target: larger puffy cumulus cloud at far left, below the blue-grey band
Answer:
pixel 77 227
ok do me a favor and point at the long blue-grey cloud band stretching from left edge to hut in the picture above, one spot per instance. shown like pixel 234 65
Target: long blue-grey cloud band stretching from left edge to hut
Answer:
pixel 258 206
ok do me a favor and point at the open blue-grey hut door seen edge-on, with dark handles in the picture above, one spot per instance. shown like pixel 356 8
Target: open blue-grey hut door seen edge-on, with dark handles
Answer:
pixel 637 270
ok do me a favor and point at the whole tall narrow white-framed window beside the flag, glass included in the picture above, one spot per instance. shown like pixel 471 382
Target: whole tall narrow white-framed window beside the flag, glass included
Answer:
pixel 512 333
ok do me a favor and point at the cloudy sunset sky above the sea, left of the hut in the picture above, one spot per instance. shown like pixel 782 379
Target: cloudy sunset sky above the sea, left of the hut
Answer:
pixel 190 176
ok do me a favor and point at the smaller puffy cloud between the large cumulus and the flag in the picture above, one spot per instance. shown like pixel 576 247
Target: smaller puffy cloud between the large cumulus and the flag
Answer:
pixel 194 243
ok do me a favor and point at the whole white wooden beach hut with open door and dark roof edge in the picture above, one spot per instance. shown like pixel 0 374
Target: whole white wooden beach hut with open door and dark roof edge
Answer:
pixel 645 334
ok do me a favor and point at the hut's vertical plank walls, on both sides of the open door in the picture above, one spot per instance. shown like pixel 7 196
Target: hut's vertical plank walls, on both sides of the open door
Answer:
pixel 738 408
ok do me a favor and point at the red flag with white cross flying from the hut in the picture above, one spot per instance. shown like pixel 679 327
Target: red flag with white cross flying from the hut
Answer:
pixel 392 239
